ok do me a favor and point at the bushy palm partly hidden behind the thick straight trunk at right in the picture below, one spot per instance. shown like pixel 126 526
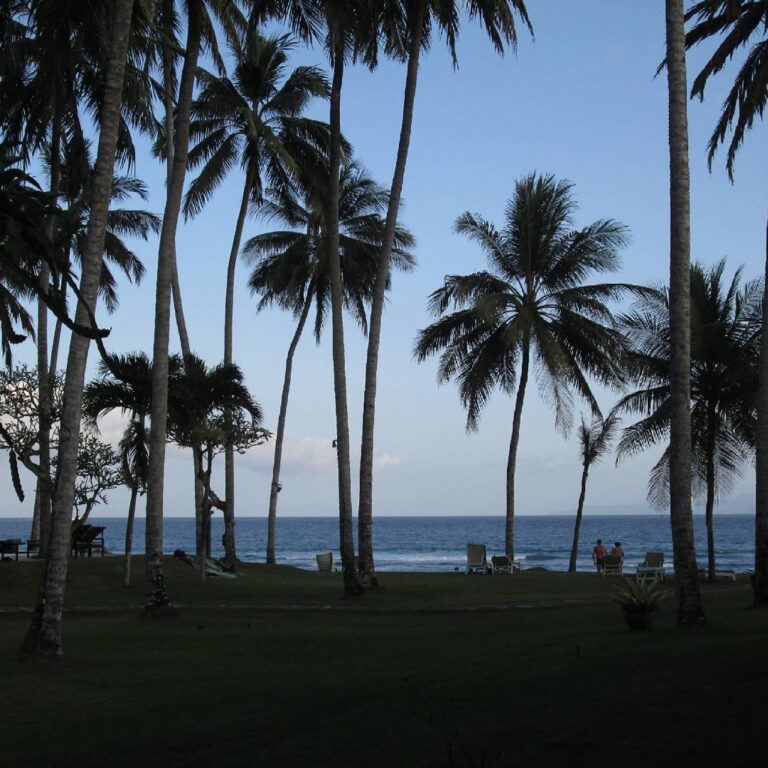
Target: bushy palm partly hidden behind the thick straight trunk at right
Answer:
pixel 723 329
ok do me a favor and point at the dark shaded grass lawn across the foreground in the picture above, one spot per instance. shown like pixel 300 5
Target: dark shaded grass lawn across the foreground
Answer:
pixel 409 675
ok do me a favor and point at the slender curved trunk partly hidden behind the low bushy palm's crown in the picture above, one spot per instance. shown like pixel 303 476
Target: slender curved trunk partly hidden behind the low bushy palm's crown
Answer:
pixel 229 307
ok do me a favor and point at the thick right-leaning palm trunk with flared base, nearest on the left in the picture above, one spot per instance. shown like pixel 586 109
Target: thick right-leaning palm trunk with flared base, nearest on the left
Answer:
pixel 44 634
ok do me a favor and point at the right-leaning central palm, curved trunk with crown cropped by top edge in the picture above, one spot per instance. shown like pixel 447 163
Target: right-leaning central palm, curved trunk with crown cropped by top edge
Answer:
pixel 409 27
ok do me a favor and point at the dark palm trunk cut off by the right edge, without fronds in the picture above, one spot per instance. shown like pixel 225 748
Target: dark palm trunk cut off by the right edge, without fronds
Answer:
pixel 760 579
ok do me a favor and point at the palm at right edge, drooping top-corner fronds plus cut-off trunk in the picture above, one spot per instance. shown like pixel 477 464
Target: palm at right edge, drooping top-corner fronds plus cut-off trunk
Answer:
pixel 737 24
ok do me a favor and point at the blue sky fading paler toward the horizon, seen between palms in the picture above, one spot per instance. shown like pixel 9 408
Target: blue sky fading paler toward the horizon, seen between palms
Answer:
pixel 580 102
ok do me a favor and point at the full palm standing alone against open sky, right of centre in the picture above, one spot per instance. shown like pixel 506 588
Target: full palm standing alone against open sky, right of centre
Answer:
pixel 532 305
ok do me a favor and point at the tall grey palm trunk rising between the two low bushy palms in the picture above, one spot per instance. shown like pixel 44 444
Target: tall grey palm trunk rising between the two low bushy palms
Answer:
pixel 156 596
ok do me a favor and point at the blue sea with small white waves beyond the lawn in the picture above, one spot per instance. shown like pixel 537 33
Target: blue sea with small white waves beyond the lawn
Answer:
pixel 439 543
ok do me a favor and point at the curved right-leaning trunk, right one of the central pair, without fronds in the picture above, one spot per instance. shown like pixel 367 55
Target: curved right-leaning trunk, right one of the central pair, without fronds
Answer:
pixel 365 509
